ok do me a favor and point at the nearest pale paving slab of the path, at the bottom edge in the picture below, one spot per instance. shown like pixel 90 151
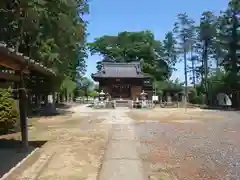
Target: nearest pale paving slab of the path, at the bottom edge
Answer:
pixel 122 170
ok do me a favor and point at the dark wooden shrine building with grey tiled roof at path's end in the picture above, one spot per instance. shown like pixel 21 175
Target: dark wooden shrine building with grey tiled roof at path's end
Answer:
pixel 123 80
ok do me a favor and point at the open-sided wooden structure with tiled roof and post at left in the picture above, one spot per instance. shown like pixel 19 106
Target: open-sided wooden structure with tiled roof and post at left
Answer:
pixel 16 67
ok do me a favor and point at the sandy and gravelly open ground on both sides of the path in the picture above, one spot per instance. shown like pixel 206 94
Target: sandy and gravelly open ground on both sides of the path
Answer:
pixel 174 144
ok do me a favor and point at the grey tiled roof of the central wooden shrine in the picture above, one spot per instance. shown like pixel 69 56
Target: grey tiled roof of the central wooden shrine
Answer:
pixel 120 70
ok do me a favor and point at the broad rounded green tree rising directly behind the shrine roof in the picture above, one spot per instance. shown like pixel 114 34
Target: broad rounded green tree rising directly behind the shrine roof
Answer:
pixel 134 46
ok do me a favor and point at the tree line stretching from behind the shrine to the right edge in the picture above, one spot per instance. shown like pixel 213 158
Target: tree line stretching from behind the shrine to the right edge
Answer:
pixel 210 51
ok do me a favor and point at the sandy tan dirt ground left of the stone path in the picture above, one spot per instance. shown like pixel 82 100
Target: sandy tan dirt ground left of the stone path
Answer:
pixel 74 149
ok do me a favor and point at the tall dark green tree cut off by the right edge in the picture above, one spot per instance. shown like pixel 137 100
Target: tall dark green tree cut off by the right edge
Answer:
pixel 229 37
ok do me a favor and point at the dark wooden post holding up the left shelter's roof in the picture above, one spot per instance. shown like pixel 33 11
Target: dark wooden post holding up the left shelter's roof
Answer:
pixel 23 110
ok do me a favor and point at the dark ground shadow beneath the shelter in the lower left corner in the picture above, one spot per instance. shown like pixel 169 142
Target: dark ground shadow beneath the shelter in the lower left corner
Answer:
pixel 11 153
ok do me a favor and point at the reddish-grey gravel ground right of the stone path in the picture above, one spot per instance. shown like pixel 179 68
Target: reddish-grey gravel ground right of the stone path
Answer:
pixel 205 149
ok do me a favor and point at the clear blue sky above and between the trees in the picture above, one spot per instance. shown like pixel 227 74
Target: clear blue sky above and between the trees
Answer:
pixel 108 17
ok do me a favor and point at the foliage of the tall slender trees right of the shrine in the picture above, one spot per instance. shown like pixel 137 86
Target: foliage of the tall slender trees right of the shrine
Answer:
pixel 215 41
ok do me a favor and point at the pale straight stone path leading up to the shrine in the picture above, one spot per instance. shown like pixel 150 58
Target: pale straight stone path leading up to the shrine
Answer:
pixel 122 161
